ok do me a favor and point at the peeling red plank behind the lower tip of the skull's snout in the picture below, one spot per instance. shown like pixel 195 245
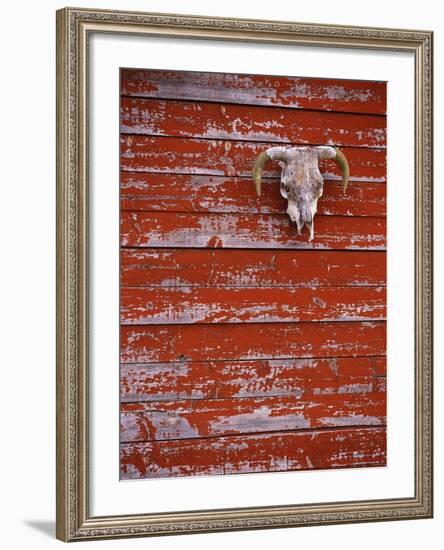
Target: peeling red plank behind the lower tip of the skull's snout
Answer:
pixel 169 229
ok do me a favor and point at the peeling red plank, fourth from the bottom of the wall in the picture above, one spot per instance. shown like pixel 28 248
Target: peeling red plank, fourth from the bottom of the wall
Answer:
pixel 161 343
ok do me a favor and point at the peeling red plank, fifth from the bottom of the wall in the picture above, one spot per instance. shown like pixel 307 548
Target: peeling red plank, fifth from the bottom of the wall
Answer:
pixel 184 305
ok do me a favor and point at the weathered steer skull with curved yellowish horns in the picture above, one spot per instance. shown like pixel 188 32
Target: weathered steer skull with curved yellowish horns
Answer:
pixel 301 180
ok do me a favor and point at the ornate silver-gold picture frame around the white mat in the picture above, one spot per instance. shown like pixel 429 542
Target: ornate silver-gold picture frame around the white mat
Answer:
pixel 74 521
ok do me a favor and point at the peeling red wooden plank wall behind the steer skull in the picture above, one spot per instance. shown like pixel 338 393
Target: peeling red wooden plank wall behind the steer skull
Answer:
pixel 245 347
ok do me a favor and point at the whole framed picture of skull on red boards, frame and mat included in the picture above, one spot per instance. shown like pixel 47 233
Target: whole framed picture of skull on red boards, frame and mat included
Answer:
pixel 244 274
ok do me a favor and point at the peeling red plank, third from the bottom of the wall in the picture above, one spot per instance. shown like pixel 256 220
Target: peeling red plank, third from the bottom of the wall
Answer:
pixel 257 378
